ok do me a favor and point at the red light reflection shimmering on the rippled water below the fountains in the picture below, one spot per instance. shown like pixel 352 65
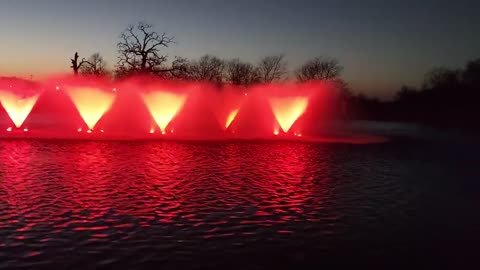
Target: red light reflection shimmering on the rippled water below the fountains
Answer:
pixel 100 186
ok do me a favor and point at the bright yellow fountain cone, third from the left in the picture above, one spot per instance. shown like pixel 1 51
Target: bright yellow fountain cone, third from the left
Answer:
pixel 163 106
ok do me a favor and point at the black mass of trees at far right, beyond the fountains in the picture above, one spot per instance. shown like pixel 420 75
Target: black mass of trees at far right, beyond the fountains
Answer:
pixel 447 98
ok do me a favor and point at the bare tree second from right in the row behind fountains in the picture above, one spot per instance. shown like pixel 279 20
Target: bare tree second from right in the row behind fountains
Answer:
pixel 272 68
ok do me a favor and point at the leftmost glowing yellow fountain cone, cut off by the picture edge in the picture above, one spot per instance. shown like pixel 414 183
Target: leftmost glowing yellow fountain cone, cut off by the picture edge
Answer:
pixel 18 108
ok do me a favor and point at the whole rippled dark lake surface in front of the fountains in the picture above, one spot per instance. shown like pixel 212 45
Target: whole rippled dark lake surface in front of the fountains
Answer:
pixel 243 205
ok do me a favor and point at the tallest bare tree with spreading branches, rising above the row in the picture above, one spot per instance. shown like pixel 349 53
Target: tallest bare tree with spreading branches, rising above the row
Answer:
pixel 139 50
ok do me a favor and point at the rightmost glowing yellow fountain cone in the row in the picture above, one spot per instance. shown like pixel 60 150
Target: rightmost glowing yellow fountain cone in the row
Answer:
pixel 287 110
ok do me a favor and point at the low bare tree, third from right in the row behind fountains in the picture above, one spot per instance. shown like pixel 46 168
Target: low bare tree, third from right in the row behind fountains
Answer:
pixel 241 73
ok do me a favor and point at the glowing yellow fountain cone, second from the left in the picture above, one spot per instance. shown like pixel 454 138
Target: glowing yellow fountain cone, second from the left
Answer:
pixel 91 103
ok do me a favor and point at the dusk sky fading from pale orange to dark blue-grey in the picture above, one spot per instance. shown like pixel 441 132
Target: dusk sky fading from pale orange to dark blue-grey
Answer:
pixel 381 44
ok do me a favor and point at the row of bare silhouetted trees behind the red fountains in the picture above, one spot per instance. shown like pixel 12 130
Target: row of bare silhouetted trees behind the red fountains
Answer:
pixel 140 51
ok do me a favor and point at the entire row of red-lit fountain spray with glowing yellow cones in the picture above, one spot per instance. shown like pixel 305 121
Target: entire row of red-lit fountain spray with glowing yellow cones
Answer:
pixel 89 108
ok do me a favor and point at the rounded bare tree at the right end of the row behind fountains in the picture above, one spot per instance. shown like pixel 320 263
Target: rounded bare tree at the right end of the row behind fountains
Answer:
pixel 319 68
